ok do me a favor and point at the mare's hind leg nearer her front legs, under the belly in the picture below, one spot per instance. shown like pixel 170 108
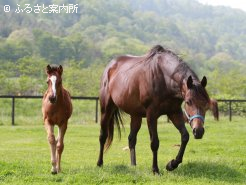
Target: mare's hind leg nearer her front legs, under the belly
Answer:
pixel 132 138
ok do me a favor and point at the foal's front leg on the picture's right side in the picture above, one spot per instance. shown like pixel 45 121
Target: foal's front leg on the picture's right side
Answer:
pixel 60 145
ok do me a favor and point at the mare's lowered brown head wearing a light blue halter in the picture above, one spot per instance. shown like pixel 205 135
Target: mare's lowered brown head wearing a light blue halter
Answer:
pixel 197 102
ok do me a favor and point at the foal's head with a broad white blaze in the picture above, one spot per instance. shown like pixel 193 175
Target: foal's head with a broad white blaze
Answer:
pixel 54 81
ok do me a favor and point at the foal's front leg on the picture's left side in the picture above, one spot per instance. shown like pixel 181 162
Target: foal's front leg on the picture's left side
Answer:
pixel 52 141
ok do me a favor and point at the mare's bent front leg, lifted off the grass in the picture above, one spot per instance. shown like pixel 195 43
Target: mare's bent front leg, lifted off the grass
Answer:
pixel 179 123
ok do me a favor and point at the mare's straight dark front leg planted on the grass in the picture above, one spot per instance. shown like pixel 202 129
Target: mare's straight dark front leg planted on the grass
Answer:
pixel 152 125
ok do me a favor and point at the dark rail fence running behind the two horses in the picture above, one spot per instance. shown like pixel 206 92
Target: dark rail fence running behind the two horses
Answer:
pixel 230 102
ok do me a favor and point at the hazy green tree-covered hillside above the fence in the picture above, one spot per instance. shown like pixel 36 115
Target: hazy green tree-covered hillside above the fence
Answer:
pixel 212 40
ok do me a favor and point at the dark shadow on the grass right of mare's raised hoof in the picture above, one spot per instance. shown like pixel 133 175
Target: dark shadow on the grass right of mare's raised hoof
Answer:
pixel 213 171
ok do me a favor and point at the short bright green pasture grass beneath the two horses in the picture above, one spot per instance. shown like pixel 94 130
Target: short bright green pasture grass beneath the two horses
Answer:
pixel 219 158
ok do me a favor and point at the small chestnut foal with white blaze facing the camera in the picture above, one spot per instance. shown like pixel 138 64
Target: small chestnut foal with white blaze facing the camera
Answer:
pixel 57 109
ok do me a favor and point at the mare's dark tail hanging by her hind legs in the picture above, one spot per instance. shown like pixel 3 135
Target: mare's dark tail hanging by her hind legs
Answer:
pixel 115 118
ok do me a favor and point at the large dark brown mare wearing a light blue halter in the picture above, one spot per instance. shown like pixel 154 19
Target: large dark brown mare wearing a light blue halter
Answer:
pixel 150 86
